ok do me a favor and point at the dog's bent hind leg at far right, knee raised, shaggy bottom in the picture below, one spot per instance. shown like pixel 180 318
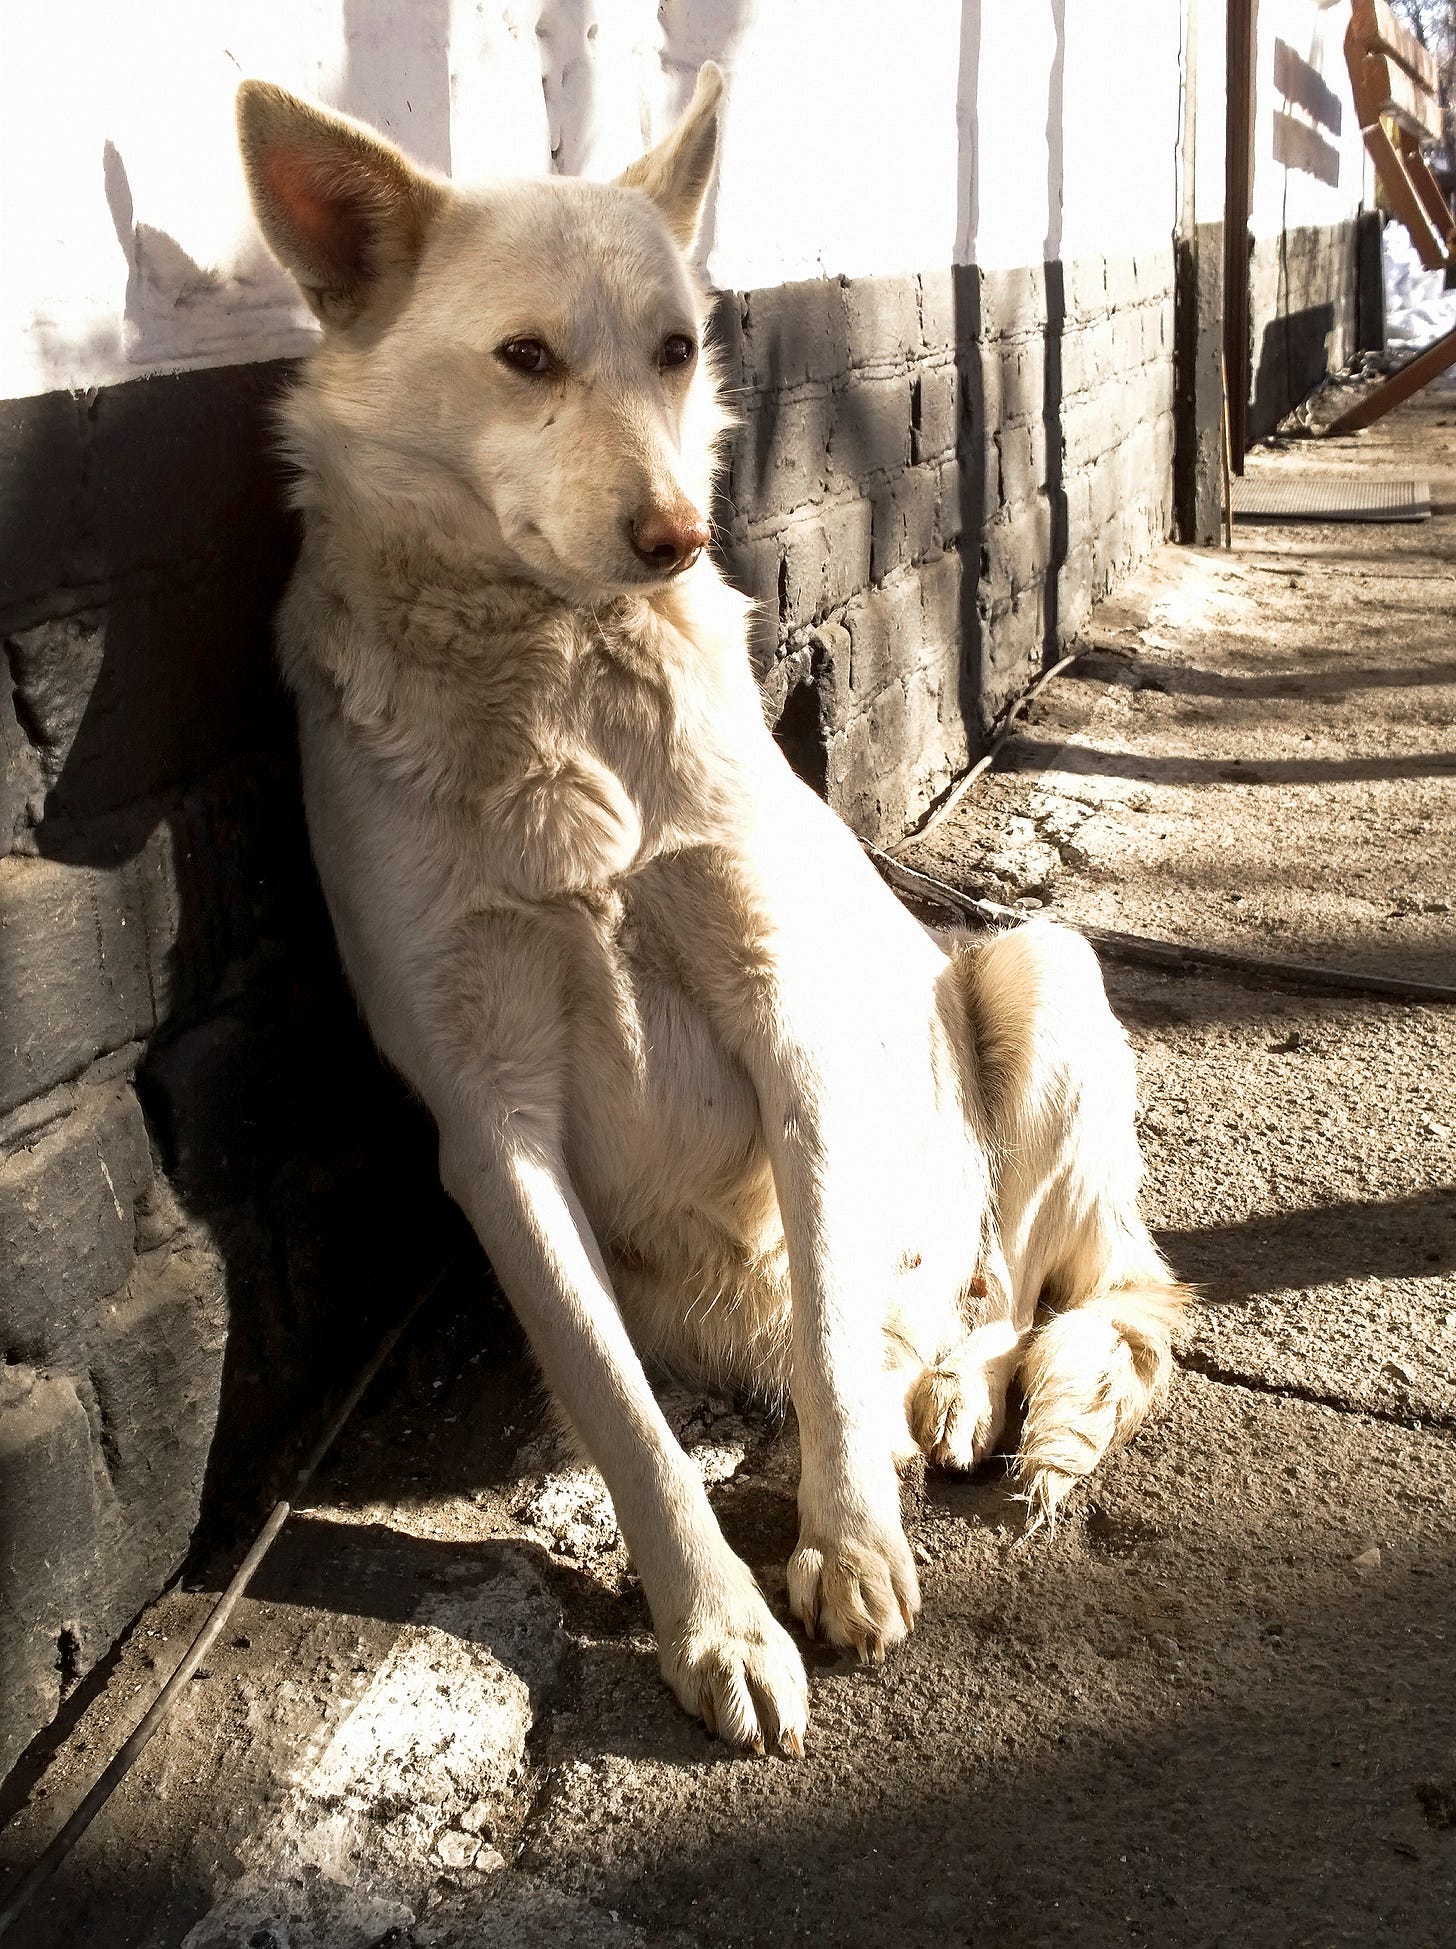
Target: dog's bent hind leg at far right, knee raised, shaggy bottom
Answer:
pixel 1059 1094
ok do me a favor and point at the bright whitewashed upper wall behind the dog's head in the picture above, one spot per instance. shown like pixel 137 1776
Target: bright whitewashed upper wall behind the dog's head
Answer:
pixel 861 137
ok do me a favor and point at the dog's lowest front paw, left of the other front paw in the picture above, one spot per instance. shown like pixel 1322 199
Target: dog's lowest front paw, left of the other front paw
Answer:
pixel 736 1667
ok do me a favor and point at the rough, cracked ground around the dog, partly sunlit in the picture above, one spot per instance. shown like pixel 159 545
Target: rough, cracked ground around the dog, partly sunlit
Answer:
pixel 1215 1708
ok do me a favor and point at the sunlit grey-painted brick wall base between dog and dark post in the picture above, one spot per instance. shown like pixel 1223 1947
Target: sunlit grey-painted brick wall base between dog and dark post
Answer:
pixel 933 480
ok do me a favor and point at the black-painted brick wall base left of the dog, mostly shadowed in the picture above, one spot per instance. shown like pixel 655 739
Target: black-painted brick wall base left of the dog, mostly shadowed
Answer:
pixel 210 1192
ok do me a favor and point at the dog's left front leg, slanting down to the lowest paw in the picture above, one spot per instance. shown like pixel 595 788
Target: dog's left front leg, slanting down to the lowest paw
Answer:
pixel 498 1071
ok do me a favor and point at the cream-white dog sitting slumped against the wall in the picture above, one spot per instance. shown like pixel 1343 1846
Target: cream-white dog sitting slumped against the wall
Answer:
pixel 707 1092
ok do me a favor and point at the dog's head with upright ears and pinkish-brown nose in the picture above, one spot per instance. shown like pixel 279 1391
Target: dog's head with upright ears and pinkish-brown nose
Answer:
pixel 517 365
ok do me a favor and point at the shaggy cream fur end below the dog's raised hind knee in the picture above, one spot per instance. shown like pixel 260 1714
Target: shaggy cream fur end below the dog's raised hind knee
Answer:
pixel 1091 1377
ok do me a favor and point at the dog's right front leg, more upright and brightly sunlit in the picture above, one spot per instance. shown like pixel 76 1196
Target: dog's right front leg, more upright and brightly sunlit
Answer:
pixel 825 1081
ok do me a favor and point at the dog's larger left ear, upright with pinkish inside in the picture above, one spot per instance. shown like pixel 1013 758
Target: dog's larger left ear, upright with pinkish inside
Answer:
pixel 340 208
